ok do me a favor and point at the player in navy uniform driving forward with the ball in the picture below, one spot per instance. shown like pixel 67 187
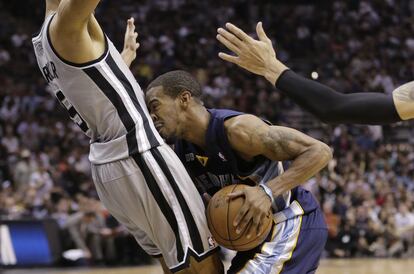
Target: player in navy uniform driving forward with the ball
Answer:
pixel 221 147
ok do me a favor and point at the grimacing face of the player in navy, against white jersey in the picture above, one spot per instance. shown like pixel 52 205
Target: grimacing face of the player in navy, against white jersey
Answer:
pixel 164 112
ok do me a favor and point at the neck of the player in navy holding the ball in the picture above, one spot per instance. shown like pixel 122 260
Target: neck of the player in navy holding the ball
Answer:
pixel 196 134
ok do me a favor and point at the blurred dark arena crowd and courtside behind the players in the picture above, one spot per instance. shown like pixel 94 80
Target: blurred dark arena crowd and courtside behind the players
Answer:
pixel 49 211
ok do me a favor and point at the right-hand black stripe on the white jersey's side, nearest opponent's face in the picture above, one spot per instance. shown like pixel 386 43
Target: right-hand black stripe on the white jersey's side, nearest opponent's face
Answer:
pixel 128 87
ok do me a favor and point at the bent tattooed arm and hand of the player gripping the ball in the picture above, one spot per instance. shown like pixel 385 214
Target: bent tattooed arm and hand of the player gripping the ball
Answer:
pixel 249 136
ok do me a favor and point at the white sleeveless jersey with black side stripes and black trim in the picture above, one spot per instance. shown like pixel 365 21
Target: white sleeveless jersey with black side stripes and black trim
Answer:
pixel 102 97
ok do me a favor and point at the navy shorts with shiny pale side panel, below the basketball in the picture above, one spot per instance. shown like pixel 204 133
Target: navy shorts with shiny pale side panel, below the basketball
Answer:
pixel 289 241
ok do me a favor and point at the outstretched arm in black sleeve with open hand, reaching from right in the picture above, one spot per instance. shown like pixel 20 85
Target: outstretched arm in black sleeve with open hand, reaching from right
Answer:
pixel 258 56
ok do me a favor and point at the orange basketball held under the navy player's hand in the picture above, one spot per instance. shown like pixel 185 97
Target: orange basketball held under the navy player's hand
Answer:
pixel 220 216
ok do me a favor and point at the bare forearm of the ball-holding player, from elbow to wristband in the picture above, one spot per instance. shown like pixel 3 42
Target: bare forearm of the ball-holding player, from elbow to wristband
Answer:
pixel 304 167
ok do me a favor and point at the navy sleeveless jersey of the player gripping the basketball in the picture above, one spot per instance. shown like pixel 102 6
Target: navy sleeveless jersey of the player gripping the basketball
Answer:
pixel 219 166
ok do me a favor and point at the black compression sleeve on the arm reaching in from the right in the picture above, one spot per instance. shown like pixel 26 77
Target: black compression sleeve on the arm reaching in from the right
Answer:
pixel 333 107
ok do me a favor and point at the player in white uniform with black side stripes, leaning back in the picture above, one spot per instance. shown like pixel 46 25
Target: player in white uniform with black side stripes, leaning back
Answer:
pixel 139 179
